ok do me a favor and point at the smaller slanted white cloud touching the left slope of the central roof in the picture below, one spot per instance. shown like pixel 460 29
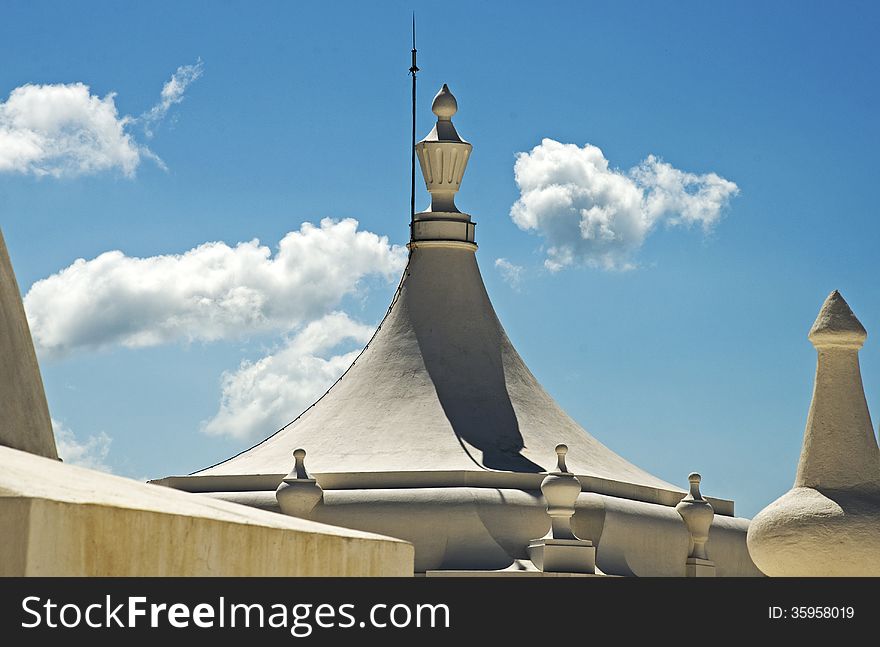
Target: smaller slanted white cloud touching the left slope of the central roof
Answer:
pixel 262 396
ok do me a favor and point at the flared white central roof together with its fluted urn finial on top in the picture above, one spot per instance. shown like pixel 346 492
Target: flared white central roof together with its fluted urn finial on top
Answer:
pixel 439 395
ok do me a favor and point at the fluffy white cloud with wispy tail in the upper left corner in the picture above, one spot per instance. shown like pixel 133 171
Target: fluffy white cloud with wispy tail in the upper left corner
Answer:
pixel 63 130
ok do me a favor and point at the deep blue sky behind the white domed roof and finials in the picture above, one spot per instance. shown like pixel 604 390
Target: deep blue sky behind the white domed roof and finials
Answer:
pixel 695 358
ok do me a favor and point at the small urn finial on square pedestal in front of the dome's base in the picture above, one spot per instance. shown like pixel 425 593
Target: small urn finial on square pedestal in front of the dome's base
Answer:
pixel 560 550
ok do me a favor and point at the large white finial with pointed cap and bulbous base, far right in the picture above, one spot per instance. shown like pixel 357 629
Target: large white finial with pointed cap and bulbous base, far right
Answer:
pixel 828 524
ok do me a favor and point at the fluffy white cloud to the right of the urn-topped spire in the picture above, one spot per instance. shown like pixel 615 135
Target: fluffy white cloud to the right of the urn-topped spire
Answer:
pixel 595 215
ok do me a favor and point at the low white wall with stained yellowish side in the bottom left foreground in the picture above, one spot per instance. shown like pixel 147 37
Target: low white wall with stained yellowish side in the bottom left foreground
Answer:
pixel 62 520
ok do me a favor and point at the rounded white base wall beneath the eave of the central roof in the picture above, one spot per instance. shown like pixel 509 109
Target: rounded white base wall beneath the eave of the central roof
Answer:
pixel 489 528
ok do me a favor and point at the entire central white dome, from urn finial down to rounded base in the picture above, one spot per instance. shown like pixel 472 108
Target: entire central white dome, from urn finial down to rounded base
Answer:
pixel 440 434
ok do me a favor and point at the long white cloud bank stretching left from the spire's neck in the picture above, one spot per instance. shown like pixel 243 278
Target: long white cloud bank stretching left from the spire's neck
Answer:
pixel 211 292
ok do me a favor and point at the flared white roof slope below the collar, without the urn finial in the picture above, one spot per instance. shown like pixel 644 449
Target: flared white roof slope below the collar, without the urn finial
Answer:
pixel 439 388
